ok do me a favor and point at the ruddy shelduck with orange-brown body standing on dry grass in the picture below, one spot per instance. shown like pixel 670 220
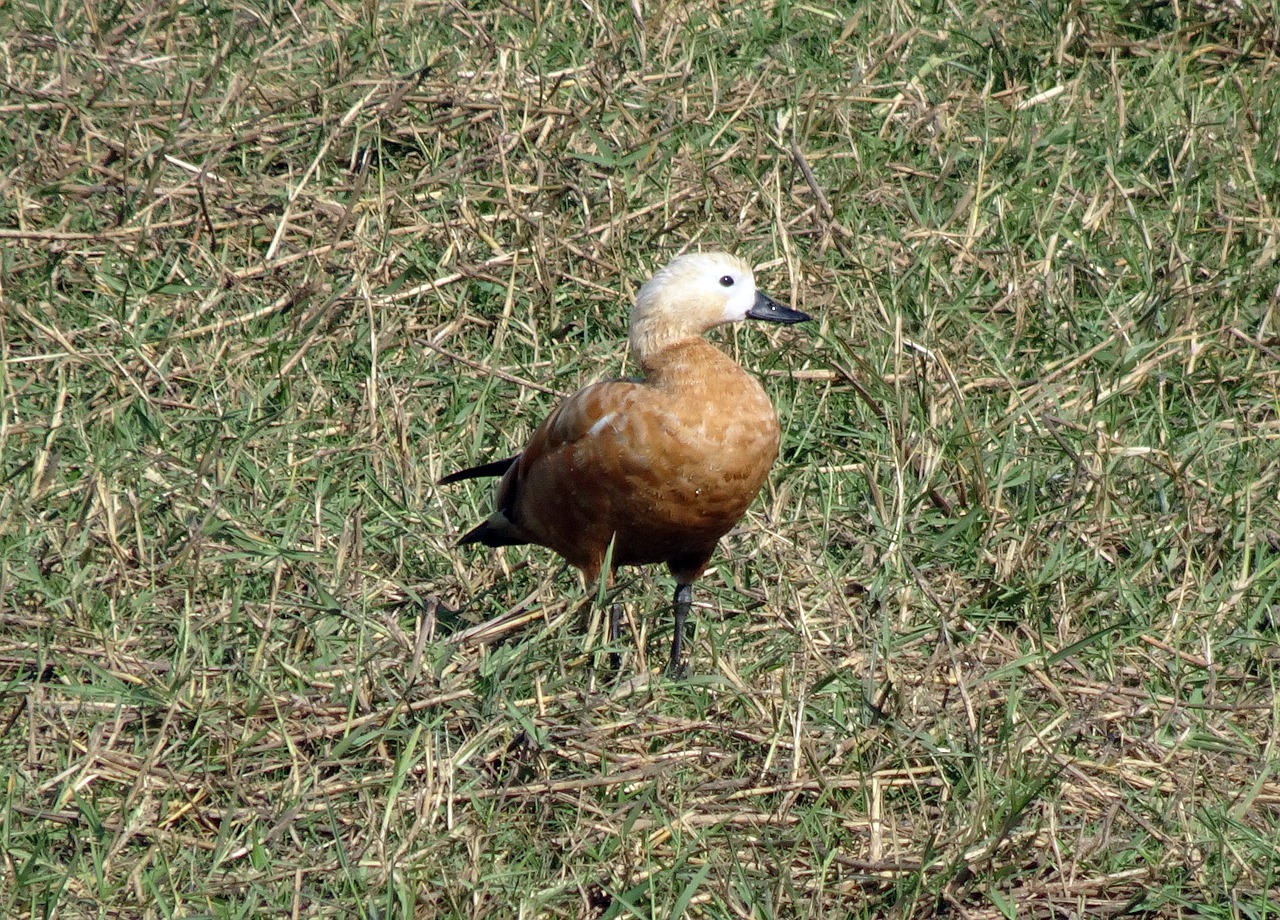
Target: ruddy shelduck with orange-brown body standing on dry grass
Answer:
pixel 657 469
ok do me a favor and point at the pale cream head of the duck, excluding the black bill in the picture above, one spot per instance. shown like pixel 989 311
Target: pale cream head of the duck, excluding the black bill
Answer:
pixel 691 295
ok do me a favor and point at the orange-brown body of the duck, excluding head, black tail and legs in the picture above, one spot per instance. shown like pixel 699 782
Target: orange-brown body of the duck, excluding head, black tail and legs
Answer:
pixel 668 465
